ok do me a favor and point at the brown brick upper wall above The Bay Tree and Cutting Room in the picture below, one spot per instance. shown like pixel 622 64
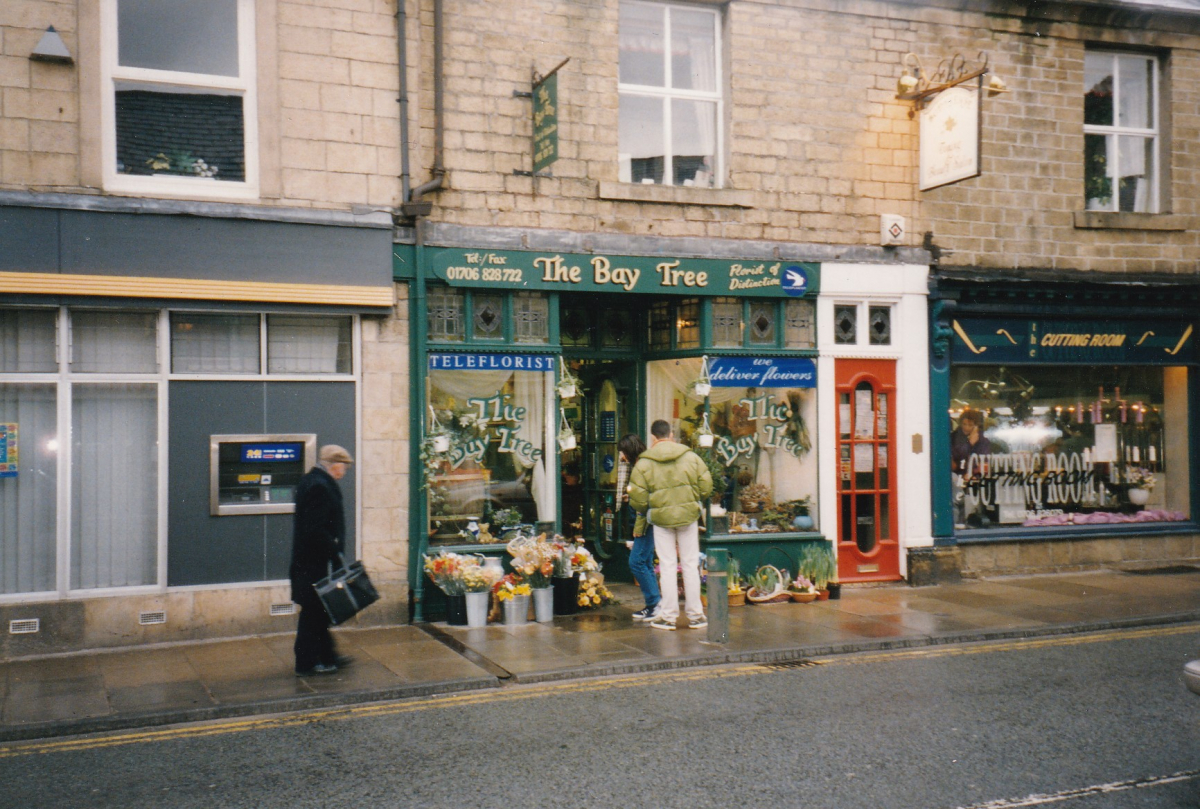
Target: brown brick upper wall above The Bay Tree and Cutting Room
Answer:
pixel 818 145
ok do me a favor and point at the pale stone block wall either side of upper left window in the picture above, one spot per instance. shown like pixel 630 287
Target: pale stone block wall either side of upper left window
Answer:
pixel 328 82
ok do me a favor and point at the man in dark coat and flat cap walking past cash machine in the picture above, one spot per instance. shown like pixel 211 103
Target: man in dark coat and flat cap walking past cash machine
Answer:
pixel 319 537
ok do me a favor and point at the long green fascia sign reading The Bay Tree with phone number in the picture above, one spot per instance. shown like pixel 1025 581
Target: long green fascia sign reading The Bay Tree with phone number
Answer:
pixel 514 269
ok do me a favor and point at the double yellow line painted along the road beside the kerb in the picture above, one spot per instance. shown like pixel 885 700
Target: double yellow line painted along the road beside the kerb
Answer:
pixel 523 693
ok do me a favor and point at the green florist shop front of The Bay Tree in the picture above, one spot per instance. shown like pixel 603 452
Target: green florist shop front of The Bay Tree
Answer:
pixel 532 365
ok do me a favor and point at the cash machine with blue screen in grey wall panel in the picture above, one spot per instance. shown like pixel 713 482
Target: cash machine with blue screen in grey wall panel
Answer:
pixel 259 475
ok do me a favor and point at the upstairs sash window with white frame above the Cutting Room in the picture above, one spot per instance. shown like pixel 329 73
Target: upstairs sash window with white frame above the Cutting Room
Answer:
pixel 1120 131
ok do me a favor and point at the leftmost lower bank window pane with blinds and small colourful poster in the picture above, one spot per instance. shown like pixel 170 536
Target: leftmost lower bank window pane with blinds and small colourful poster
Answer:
pixel 29 488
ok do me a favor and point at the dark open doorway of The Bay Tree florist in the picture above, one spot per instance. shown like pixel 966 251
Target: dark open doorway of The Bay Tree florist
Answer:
pixel 605 410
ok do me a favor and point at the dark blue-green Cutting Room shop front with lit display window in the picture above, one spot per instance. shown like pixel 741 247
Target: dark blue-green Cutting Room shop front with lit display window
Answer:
pixel 1069 418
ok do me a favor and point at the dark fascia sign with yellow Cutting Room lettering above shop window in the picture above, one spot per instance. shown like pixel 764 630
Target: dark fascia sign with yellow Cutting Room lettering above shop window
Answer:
pixel 1089 343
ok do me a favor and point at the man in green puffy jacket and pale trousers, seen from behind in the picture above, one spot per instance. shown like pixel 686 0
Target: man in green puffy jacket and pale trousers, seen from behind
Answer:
pixel 669 483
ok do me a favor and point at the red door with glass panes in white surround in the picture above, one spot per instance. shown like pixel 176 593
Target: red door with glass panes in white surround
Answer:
pixel 868 547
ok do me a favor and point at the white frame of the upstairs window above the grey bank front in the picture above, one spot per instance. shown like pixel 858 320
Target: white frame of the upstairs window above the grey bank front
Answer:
pixel 243 85
